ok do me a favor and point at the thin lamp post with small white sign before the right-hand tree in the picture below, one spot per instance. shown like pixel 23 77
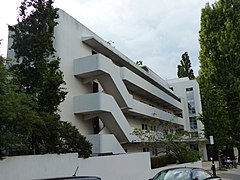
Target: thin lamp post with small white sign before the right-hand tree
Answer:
pixel 211 139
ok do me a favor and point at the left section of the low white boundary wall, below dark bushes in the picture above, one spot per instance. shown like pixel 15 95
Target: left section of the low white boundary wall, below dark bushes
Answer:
pixel 38 166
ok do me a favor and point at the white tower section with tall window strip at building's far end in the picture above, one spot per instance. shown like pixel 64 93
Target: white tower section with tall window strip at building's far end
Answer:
pixel 189 92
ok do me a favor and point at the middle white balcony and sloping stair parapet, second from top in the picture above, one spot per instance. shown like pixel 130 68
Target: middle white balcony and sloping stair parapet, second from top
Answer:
pixel 108 111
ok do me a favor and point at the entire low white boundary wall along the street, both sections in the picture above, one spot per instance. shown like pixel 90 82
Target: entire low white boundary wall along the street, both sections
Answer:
pixel 117 167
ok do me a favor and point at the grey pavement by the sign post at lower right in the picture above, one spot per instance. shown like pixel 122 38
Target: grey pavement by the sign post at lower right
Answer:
pixel 225 174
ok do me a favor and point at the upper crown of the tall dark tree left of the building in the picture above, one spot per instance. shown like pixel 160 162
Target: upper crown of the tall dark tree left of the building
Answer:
pixel 38 71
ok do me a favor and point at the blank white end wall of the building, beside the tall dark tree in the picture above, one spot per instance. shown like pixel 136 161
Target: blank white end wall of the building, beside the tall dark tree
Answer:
pixel 69 46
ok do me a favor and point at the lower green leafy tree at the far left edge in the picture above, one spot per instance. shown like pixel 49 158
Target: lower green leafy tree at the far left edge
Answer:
pixel 18 120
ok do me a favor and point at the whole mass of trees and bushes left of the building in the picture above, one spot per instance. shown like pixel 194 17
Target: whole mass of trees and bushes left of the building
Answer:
pixel 32 89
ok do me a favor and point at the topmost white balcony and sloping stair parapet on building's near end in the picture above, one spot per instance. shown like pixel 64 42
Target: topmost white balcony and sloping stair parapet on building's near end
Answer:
pixel 107 74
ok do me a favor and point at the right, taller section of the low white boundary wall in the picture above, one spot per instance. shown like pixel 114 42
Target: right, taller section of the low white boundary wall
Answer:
pixel 119 167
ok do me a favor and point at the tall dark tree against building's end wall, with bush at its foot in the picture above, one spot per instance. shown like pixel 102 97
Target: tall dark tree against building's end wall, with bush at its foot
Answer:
pixel 37 74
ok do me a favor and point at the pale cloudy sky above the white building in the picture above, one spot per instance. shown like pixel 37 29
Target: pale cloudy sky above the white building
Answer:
pixel 157 32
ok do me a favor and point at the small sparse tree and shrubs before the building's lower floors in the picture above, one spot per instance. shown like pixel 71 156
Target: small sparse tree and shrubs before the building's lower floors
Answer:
pixel 168 142
